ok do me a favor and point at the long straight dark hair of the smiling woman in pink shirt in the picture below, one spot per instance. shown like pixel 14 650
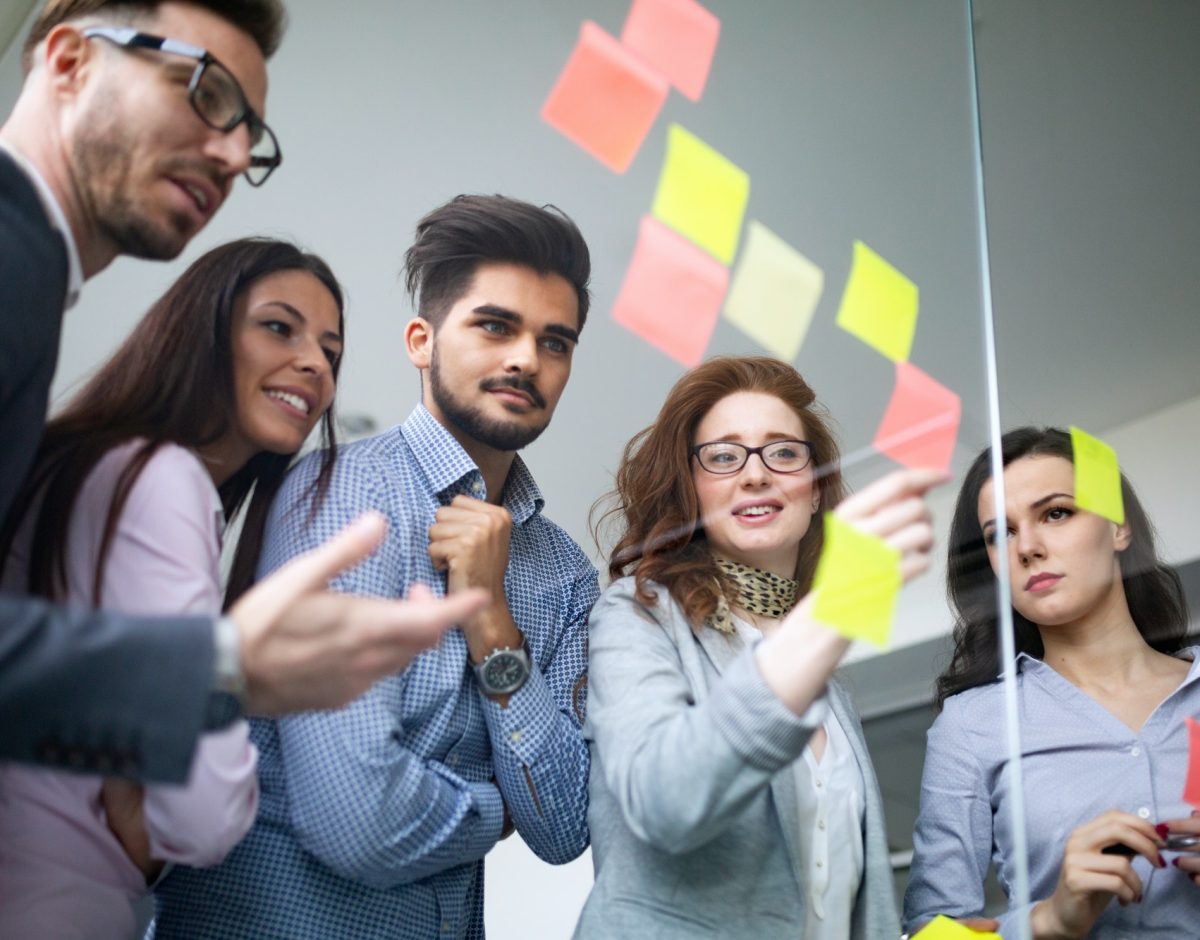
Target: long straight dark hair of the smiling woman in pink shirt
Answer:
pixel 170 382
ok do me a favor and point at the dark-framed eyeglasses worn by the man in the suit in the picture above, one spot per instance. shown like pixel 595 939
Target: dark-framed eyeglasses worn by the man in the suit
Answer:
pixel 214 93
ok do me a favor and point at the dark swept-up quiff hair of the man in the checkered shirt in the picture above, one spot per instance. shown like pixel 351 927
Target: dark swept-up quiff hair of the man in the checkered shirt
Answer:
pixel 470 231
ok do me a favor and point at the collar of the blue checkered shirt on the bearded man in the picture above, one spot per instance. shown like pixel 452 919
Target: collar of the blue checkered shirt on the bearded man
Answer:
pixel 451 470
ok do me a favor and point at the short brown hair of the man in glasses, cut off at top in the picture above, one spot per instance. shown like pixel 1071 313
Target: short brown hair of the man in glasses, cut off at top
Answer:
pixel 263 21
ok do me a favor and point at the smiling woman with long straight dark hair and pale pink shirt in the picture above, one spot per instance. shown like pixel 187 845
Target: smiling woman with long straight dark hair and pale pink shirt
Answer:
pixel 196 416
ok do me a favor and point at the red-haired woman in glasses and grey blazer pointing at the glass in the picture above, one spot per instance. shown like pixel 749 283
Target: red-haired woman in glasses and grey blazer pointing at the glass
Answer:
pixel 731 793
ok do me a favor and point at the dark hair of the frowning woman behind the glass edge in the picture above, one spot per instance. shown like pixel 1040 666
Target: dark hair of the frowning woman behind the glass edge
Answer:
pixel 1153 589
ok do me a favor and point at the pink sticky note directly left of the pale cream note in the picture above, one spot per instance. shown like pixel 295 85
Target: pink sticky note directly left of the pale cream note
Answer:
pixel 673 294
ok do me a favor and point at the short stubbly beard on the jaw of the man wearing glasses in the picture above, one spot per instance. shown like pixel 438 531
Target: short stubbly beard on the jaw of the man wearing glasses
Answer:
pixel 101 153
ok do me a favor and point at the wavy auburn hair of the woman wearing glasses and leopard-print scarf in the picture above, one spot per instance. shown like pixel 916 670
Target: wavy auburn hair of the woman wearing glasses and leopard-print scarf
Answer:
pixel 655 502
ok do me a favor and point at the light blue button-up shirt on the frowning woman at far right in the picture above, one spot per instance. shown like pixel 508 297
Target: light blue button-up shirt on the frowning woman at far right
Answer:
pixel 1078 762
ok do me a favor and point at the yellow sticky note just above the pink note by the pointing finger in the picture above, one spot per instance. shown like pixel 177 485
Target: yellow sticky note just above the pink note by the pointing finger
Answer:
pixel 880 306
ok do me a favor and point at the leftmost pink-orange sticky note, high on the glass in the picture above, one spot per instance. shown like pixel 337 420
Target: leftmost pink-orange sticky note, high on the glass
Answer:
pixel 607 99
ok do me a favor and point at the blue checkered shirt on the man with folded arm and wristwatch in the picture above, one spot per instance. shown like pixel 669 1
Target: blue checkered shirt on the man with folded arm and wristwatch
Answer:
pixel 375 819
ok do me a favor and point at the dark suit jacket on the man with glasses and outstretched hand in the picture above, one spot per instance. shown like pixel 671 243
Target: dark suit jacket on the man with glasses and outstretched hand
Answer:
pixel 88 691
